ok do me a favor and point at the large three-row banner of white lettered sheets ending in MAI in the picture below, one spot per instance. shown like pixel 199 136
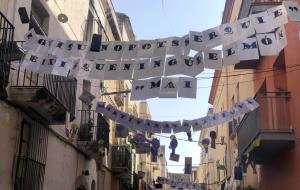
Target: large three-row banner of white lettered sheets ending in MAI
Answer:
pixel 154 65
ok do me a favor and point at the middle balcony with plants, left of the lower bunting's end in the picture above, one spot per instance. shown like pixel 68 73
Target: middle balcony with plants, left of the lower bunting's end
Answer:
pixel 91 137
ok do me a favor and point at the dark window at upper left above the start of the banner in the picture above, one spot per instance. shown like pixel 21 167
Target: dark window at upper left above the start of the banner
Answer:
pixel 39 18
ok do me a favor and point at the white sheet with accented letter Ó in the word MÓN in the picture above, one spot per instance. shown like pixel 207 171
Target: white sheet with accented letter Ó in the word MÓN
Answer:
pixel 267 44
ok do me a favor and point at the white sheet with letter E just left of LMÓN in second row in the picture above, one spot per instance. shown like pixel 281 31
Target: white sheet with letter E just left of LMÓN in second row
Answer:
pixel 213 59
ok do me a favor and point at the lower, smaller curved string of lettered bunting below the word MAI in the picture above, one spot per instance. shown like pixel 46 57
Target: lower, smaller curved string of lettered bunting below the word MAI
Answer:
pixel 170 127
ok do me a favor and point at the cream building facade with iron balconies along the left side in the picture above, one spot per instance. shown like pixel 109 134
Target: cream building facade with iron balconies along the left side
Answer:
pixel 50 139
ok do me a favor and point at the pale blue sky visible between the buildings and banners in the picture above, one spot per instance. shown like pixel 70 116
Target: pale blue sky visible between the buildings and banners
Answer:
pixel 152 19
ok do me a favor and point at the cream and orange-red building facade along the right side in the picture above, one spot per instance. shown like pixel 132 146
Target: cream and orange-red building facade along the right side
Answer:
pixel 263 142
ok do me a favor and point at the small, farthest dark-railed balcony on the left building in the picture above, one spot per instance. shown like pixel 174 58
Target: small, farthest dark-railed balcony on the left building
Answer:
pixel 121 159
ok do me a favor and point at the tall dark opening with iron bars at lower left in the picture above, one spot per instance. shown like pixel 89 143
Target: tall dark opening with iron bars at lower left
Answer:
pixel 32 155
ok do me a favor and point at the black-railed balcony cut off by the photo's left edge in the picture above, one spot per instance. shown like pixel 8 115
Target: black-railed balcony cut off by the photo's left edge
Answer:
pixel 6 49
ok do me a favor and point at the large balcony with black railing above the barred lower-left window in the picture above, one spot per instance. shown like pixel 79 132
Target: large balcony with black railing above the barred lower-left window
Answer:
pixel 43 96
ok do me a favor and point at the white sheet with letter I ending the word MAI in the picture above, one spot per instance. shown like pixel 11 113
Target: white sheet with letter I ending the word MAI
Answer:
pixel 187 87
